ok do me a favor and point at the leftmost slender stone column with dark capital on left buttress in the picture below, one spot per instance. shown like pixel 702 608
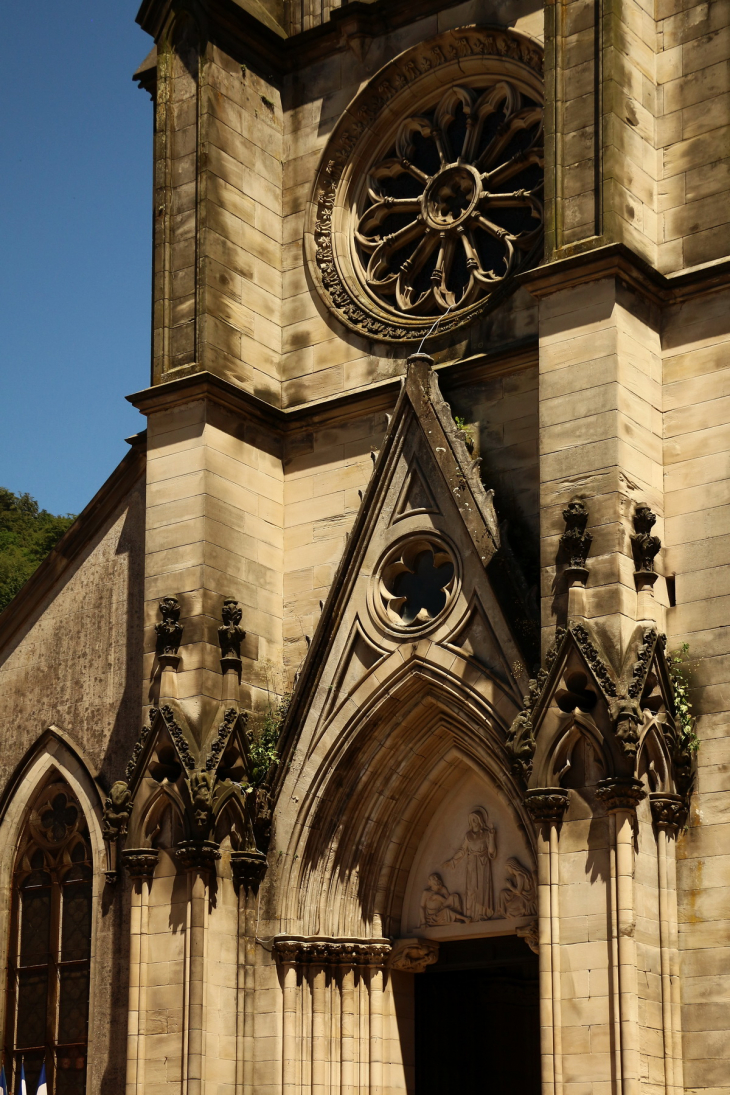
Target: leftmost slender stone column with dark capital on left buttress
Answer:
pixel 141 863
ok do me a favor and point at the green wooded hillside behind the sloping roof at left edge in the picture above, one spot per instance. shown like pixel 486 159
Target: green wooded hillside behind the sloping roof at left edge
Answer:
pixel 27 536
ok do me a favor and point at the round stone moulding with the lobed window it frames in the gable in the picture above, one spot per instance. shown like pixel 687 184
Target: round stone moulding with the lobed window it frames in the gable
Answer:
pixel 415 584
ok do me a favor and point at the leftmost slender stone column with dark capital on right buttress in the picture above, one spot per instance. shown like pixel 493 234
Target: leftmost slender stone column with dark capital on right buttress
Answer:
pixel 547 808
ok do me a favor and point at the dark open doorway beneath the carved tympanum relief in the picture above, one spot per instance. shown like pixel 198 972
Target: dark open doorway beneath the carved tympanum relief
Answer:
pixel 478 1022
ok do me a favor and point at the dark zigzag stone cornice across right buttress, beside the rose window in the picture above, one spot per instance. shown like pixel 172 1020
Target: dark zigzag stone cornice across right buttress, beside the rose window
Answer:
pixel 617 260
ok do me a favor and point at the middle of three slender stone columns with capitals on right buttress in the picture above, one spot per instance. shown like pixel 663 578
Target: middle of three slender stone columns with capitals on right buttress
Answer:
pixel 621 797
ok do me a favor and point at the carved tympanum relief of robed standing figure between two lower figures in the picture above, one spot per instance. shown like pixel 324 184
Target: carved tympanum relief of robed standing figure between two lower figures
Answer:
pixel 470 872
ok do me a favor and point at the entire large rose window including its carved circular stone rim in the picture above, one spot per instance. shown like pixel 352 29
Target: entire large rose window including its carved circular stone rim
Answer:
pixel 428 199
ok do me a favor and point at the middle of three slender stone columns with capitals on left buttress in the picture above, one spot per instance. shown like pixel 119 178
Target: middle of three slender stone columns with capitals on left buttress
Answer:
pixel 199 858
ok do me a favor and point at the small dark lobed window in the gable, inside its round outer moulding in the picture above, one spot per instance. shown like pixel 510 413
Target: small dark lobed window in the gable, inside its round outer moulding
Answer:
pixel 416 584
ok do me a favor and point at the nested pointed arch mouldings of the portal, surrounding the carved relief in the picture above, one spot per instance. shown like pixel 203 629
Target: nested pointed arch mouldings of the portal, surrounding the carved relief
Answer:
pixel 367 809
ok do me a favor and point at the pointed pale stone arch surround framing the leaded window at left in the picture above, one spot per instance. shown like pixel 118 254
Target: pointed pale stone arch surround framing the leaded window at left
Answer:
pixel 54 759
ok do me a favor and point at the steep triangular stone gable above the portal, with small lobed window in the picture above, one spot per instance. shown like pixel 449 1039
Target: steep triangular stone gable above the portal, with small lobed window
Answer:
pixel 420 549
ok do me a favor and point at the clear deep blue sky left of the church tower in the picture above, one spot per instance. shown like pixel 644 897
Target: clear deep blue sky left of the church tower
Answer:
pixel 75 243
